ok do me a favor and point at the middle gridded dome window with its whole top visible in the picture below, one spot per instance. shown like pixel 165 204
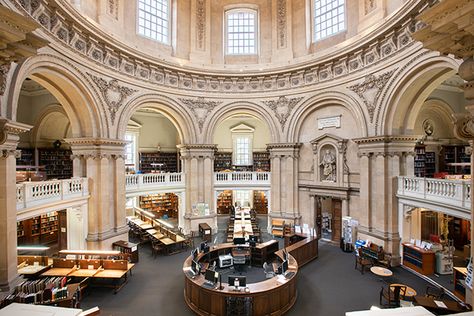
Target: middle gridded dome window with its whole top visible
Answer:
pixel 241 32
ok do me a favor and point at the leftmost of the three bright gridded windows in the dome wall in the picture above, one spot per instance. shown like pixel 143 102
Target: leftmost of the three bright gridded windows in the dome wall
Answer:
pixel 153 19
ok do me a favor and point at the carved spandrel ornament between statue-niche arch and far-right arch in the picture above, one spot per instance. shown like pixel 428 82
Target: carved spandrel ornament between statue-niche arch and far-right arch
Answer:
pixel 369 90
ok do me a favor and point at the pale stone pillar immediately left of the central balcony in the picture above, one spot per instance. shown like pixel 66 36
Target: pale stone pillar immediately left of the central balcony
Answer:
pixel 198 169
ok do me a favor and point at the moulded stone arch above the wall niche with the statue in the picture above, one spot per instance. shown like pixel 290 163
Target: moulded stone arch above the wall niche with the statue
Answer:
pixel 321 100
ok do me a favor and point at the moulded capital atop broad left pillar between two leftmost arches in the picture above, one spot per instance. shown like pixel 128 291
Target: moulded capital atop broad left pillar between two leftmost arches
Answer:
pixel 97 148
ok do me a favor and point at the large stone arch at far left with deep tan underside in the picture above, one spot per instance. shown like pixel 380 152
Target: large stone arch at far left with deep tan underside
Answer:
pixel 68 85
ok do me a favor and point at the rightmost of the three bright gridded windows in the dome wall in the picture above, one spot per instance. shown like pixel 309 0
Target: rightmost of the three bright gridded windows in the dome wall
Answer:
pixel 329 18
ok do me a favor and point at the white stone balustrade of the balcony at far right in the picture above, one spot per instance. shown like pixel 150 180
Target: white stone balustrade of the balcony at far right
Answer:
pixel 456 193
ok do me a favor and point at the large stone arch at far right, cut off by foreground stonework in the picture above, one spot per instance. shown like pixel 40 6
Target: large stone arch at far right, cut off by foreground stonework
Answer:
pixel 409 89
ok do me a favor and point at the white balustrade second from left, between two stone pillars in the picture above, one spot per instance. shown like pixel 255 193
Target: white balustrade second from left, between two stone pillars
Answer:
pixel 147 180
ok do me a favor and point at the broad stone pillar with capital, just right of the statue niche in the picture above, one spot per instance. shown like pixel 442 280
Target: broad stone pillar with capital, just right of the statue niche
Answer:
pixel 380 165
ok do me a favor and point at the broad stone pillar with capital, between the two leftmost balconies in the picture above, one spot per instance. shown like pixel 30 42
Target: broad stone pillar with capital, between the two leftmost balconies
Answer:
pixel 103 164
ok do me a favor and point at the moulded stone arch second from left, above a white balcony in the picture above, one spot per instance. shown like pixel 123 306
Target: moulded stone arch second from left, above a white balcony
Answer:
pixel 166 106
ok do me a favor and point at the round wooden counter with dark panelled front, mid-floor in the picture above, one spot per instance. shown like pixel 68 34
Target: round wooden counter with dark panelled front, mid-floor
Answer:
pixel 273 296
